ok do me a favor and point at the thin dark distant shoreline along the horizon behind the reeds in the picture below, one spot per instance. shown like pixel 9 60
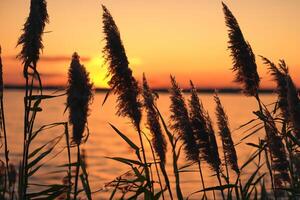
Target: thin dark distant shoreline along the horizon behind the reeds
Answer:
pixel 160 90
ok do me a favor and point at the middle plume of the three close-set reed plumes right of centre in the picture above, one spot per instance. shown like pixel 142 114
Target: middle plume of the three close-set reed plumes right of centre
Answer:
pixel 199 125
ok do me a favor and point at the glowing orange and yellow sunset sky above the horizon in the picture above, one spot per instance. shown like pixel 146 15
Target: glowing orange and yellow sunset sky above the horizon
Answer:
pixel 185 38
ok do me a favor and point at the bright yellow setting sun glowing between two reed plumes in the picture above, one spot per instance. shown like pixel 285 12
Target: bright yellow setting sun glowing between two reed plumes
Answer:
pixel 98 72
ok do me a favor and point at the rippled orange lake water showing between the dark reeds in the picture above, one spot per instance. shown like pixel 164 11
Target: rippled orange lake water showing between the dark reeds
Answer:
pixel 104 142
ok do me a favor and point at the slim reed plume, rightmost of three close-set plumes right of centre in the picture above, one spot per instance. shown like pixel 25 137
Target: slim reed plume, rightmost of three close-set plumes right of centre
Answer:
pixel 225 133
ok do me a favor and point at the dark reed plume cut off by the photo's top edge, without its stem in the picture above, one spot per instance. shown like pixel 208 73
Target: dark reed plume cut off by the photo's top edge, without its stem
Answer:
pixel 31 39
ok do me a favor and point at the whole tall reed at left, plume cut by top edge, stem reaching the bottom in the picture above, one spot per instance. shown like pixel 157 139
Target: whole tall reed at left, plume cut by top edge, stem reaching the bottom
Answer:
pixel 31 42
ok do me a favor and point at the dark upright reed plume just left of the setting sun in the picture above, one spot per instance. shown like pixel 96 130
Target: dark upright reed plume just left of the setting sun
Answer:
pixel 79 95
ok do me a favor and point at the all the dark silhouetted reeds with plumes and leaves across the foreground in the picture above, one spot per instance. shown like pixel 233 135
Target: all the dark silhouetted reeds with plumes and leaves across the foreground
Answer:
pixel 275 157
